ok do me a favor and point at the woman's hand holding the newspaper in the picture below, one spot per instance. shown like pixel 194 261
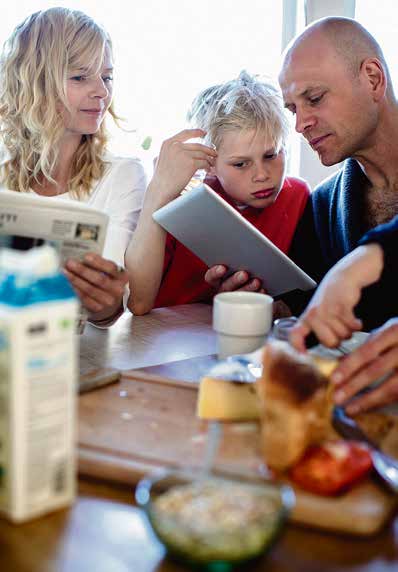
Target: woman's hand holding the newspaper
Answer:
pixel 99 283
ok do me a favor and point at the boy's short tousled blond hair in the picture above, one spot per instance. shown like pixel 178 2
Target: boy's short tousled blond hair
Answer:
pixel 245 103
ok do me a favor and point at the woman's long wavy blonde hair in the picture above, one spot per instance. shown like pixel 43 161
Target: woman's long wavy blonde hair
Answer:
pixel 34 67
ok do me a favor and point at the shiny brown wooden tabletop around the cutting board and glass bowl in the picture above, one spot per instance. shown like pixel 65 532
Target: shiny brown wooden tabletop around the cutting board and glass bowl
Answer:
pixel 105 532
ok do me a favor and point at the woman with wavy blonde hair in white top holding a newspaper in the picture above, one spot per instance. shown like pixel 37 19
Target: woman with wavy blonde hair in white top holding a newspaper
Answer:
pixel 56 88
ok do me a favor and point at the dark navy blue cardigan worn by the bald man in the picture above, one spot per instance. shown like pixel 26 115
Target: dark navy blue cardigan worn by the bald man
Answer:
pixel 330 228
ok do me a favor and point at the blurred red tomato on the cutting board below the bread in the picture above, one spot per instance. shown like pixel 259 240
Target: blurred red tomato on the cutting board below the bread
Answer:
pixel 332 467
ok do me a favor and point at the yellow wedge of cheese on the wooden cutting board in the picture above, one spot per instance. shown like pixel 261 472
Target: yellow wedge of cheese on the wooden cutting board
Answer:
pixel 227 400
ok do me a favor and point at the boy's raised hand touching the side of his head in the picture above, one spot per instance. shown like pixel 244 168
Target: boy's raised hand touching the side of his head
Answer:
pixel 178 161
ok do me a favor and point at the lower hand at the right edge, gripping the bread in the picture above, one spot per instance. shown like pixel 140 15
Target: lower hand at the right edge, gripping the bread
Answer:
pixel 376 358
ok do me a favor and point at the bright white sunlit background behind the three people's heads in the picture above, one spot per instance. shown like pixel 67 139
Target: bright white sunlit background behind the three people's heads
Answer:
pixel 167 51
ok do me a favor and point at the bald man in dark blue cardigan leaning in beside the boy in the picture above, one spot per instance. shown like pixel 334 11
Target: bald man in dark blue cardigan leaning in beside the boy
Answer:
pixel 335 80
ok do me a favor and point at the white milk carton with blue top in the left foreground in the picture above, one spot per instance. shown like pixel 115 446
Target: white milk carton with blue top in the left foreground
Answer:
pixel 38 372
